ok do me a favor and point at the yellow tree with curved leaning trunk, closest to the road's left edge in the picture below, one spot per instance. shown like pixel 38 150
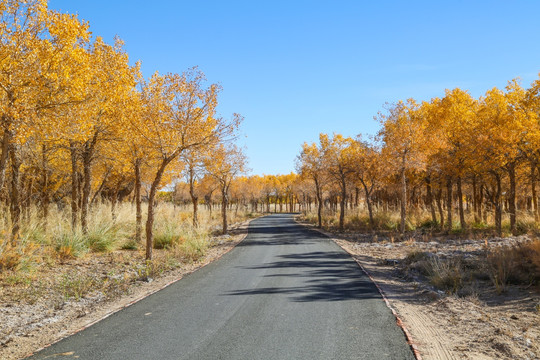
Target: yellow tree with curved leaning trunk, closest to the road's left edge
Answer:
pixel 179 113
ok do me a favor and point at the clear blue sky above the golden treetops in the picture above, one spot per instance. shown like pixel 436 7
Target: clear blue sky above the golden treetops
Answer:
pixel 294 69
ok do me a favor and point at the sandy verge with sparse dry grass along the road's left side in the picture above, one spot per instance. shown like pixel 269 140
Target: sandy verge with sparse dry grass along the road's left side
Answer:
pixel 32 317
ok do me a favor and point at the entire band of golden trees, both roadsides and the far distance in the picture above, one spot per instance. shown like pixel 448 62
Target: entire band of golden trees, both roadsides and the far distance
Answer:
pixel 79 123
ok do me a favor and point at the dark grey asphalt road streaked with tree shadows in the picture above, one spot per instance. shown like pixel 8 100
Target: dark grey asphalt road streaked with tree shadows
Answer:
pixel 285 292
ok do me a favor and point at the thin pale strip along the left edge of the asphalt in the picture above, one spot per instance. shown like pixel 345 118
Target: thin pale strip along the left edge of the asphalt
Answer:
pixel 145 295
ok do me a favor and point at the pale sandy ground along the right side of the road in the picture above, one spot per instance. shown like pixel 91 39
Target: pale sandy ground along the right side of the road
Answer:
pixel 480 325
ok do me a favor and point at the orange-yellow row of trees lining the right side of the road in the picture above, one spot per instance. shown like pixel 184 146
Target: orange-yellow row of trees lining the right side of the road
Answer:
pixel 450 155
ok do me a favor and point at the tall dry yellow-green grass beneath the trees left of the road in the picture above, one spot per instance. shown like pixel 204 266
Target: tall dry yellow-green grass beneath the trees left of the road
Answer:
pixel 56 243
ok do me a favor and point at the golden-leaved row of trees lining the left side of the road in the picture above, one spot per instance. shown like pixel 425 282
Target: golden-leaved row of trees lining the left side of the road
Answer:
pixel 78 121
